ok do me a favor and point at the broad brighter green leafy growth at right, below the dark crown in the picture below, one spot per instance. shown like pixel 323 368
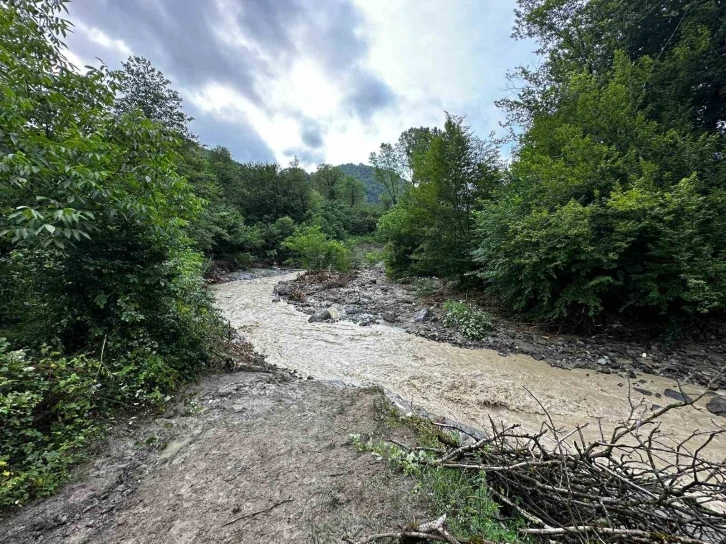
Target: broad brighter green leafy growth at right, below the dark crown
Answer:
pixel 607 212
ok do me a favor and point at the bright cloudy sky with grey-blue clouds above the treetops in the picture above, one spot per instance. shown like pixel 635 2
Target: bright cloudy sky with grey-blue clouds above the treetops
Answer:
pixel 326 80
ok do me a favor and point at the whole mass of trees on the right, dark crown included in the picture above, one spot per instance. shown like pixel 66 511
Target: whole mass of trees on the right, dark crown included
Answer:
pixel 616 184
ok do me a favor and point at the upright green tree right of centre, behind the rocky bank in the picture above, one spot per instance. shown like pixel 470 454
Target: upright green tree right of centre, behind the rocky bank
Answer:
pixel 431 231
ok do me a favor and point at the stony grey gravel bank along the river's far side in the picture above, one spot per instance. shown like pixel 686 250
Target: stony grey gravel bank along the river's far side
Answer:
pixel 369 297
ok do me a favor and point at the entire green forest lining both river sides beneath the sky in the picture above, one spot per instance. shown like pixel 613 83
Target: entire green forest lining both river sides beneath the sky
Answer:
pixel 605 197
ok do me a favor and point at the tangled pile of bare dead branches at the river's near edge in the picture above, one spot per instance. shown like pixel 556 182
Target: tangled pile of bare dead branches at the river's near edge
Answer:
pixel 631 485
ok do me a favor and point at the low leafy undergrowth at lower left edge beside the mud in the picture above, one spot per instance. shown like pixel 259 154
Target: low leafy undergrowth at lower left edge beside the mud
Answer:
pixel 46 405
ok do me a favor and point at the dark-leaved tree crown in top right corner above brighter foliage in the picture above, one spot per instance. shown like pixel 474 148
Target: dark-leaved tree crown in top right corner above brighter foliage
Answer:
pixel 680 40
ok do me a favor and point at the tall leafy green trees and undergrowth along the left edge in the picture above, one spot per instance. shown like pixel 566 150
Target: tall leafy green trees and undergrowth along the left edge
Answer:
pixel 93 214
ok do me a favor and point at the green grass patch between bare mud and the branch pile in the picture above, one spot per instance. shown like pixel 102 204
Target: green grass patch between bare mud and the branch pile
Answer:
pixel 464 497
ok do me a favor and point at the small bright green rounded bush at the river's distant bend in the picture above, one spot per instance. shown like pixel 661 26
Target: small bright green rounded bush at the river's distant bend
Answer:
pixel 314 251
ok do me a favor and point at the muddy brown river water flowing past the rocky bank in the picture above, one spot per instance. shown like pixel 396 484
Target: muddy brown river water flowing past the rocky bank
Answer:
pixel 465 385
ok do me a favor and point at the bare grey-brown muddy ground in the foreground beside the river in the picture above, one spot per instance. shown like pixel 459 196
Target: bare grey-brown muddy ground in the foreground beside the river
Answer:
pixel 247 457
